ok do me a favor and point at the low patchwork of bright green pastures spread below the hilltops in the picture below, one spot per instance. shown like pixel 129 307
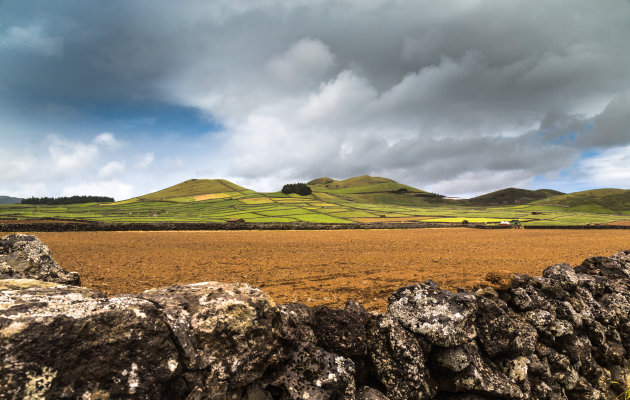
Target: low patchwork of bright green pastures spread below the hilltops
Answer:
pixel 279 208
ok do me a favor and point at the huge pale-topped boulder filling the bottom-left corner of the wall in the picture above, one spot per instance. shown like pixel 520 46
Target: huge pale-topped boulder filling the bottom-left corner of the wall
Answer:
pixel 72 342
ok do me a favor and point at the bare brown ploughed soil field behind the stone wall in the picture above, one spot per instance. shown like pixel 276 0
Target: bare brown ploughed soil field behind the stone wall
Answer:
pixel 320 267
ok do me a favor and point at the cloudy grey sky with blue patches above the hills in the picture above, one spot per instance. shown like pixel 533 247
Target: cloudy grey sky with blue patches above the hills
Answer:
pixel 461 97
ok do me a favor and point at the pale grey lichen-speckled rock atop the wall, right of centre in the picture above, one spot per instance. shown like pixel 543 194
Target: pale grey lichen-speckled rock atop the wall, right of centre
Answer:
pixel 445 319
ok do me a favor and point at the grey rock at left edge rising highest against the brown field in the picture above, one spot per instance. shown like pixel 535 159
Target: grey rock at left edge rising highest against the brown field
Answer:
pixel 25 256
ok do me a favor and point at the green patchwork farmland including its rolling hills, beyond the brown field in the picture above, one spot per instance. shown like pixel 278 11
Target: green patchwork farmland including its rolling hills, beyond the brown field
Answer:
pixel 360 199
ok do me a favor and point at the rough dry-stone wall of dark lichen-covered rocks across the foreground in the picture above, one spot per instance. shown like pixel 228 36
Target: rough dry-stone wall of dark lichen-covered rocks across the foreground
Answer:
pixel 565 335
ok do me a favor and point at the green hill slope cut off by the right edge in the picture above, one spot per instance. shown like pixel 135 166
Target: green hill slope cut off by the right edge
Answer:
pixel 592 201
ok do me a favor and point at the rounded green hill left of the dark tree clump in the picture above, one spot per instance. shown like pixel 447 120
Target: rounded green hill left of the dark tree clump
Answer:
pixel 197 187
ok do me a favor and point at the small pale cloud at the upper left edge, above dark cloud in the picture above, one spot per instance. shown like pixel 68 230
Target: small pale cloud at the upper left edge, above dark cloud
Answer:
pixel 32 39
